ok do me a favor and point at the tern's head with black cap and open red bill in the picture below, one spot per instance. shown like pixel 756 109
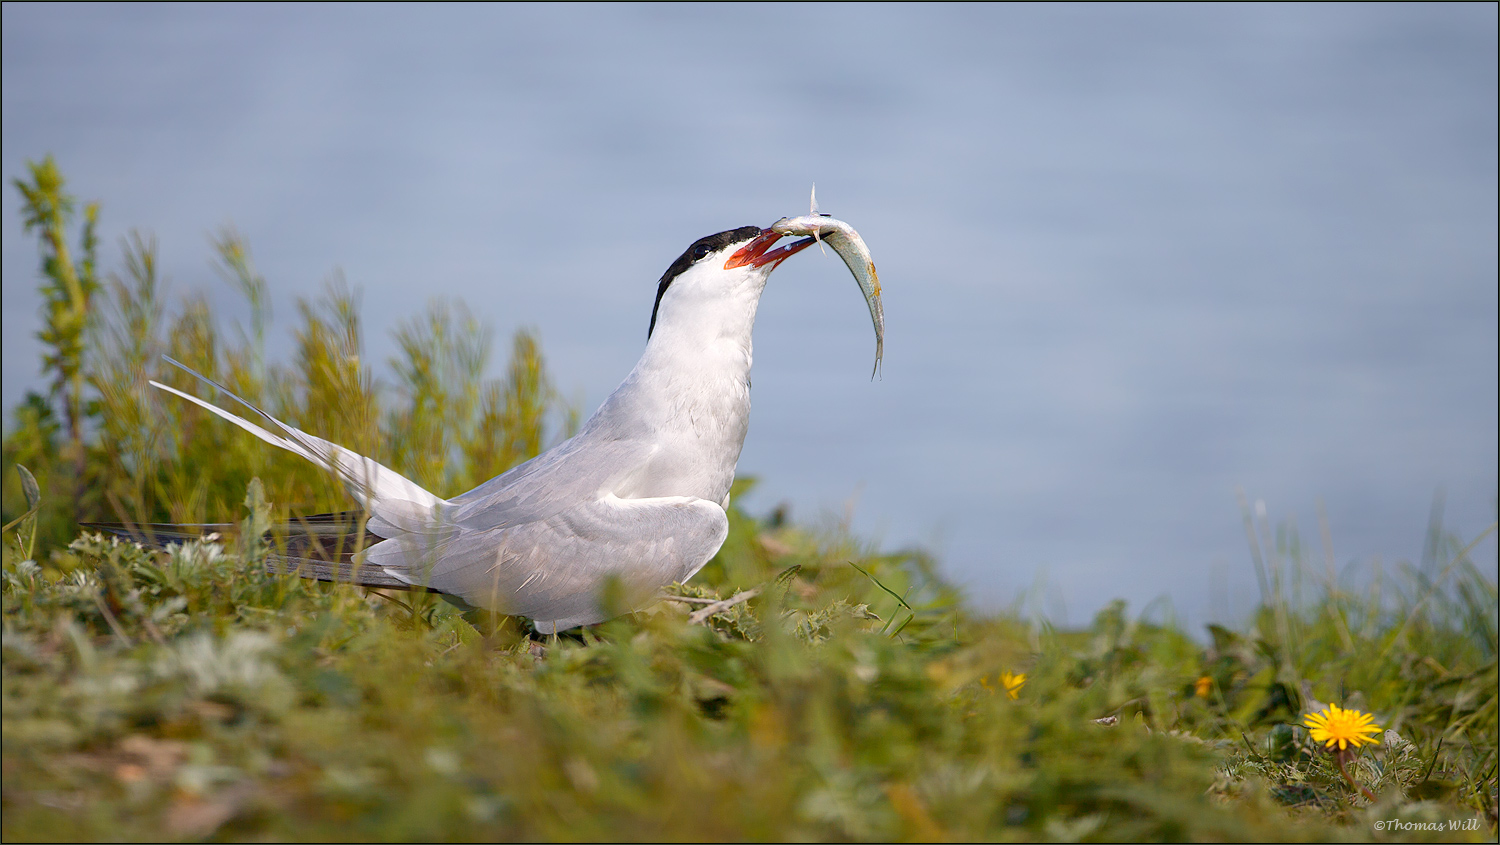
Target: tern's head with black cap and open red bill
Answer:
pixel 719 266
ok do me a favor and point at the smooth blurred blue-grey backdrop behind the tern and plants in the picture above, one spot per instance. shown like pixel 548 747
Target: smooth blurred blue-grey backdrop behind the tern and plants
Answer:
pixel 1135 259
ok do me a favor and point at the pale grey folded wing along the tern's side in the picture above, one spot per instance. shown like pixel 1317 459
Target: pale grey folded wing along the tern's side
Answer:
pixel 553 570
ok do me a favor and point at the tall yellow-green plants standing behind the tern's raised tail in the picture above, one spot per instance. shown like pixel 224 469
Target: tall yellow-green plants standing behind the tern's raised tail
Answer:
pixel 128 453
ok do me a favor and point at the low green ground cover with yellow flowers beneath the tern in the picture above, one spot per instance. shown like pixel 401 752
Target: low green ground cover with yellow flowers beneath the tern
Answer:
pixel 190 696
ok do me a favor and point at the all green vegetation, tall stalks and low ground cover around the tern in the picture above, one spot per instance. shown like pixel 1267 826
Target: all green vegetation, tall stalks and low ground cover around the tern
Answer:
pixel 854 696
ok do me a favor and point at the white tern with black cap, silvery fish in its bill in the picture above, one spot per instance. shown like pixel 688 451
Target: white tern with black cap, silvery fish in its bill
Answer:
pixel 640 495
